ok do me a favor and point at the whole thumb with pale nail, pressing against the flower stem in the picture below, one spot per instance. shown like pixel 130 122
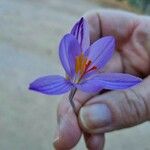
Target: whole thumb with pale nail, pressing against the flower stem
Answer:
pixel 117 109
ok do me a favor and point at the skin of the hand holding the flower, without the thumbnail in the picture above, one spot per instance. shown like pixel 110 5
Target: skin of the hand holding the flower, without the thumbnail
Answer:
pixel 128 107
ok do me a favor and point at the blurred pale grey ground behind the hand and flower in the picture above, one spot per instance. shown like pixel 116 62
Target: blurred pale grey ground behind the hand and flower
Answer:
pixel 30 31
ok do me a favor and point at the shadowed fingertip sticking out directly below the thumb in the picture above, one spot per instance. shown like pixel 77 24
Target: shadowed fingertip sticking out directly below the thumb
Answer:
pixel 94 141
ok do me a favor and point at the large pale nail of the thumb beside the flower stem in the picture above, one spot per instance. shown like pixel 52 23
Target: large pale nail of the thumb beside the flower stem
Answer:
pixel 95 116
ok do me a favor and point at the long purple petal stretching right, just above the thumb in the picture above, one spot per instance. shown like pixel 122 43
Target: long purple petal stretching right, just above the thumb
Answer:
pixel 112 81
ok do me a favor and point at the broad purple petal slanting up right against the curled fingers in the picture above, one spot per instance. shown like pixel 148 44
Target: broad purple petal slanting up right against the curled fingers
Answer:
pixel 101 51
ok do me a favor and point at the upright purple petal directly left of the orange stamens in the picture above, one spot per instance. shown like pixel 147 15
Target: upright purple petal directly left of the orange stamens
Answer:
pixel 68 50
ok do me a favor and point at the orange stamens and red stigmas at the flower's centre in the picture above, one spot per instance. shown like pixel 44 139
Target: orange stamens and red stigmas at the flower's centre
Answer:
pixel 82 65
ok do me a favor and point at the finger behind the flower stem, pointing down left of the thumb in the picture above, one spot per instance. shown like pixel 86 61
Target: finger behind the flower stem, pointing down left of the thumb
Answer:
pixel 68 131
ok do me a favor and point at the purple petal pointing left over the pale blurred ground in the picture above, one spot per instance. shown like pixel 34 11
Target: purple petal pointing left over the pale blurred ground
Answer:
pixel 51 85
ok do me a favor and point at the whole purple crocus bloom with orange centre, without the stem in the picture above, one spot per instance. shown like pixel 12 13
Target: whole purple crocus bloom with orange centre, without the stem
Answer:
pixel 83 65
